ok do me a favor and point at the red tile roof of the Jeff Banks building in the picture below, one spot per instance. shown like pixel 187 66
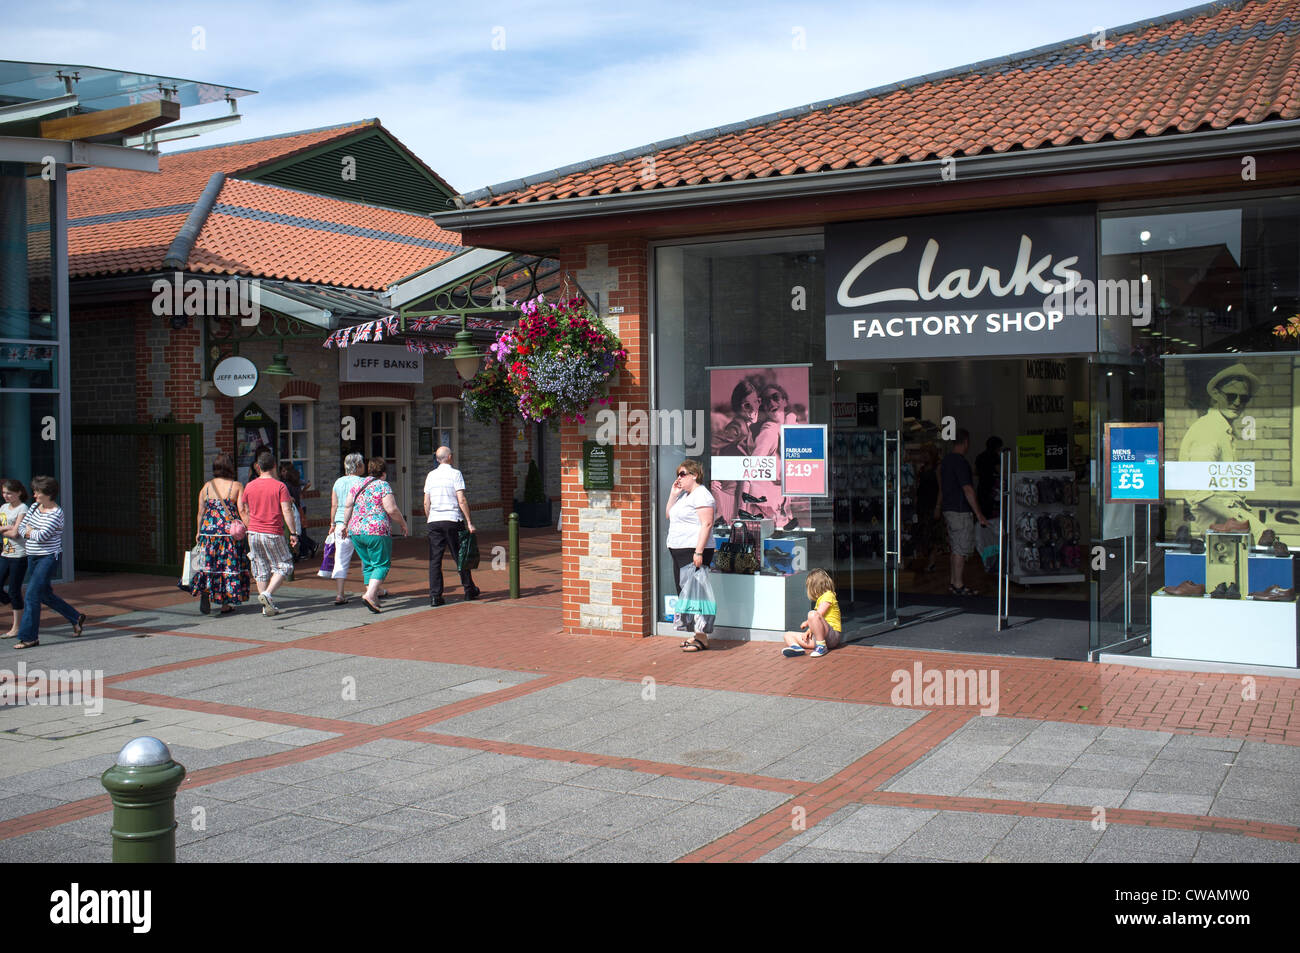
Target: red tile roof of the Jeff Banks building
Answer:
pixel 125 222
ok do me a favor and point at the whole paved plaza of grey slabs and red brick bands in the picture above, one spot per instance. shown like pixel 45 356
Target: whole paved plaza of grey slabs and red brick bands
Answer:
pixel 480 733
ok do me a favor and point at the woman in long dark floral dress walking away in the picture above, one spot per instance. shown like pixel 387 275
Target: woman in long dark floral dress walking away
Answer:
pixel 224 578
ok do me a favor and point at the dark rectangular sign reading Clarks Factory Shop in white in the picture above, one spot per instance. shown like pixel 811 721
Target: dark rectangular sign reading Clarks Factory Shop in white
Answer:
pixel 970 285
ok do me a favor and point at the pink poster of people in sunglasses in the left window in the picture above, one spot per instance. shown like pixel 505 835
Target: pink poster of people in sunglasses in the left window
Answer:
pixel 749 406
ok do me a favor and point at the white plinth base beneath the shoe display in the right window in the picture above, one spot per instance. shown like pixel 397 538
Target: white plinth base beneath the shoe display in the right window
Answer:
pixel 1243 631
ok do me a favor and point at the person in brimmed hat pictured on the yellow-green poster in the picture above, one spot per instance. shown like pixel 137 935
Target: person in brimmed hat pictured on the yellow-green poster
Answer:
pixel 1211 439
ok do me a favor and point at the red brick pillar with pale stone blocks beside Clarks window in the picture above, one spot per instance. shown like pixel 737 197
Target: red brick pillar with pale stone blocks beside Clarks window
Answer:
pixel 606 547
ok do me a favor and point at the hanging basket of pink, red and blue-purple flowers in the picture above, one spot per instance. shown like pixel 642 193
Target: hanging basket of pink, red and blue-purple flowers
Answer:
pixel 552 366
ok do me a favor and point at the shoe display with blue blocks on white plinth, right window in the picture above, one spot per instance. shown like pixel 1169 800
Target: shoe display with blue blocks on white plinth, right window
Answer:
pixel 1228 599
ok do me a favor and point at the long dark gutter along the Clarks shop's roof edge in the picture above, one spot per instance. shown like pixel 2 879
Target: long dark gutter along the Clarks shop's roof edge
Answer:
pixel 1233 142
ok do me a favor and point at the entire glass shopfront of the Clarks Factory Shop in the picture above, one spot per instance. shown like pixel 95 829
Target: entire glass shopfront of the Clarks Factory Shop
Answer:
pixel 1169 317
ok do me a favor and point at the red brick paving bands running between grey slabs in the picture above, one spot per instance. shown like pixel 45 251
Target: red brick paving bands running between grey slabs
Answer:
pixel 527 636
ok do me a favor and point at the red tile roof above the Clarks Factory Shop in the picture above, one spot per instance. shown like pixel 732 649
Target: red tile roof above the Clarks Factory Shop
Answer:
pixel 1206 68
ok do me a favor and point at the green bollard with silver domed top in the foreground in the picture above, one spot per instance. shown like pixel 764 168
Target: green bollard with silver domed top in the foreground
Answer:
pixel 144 786
